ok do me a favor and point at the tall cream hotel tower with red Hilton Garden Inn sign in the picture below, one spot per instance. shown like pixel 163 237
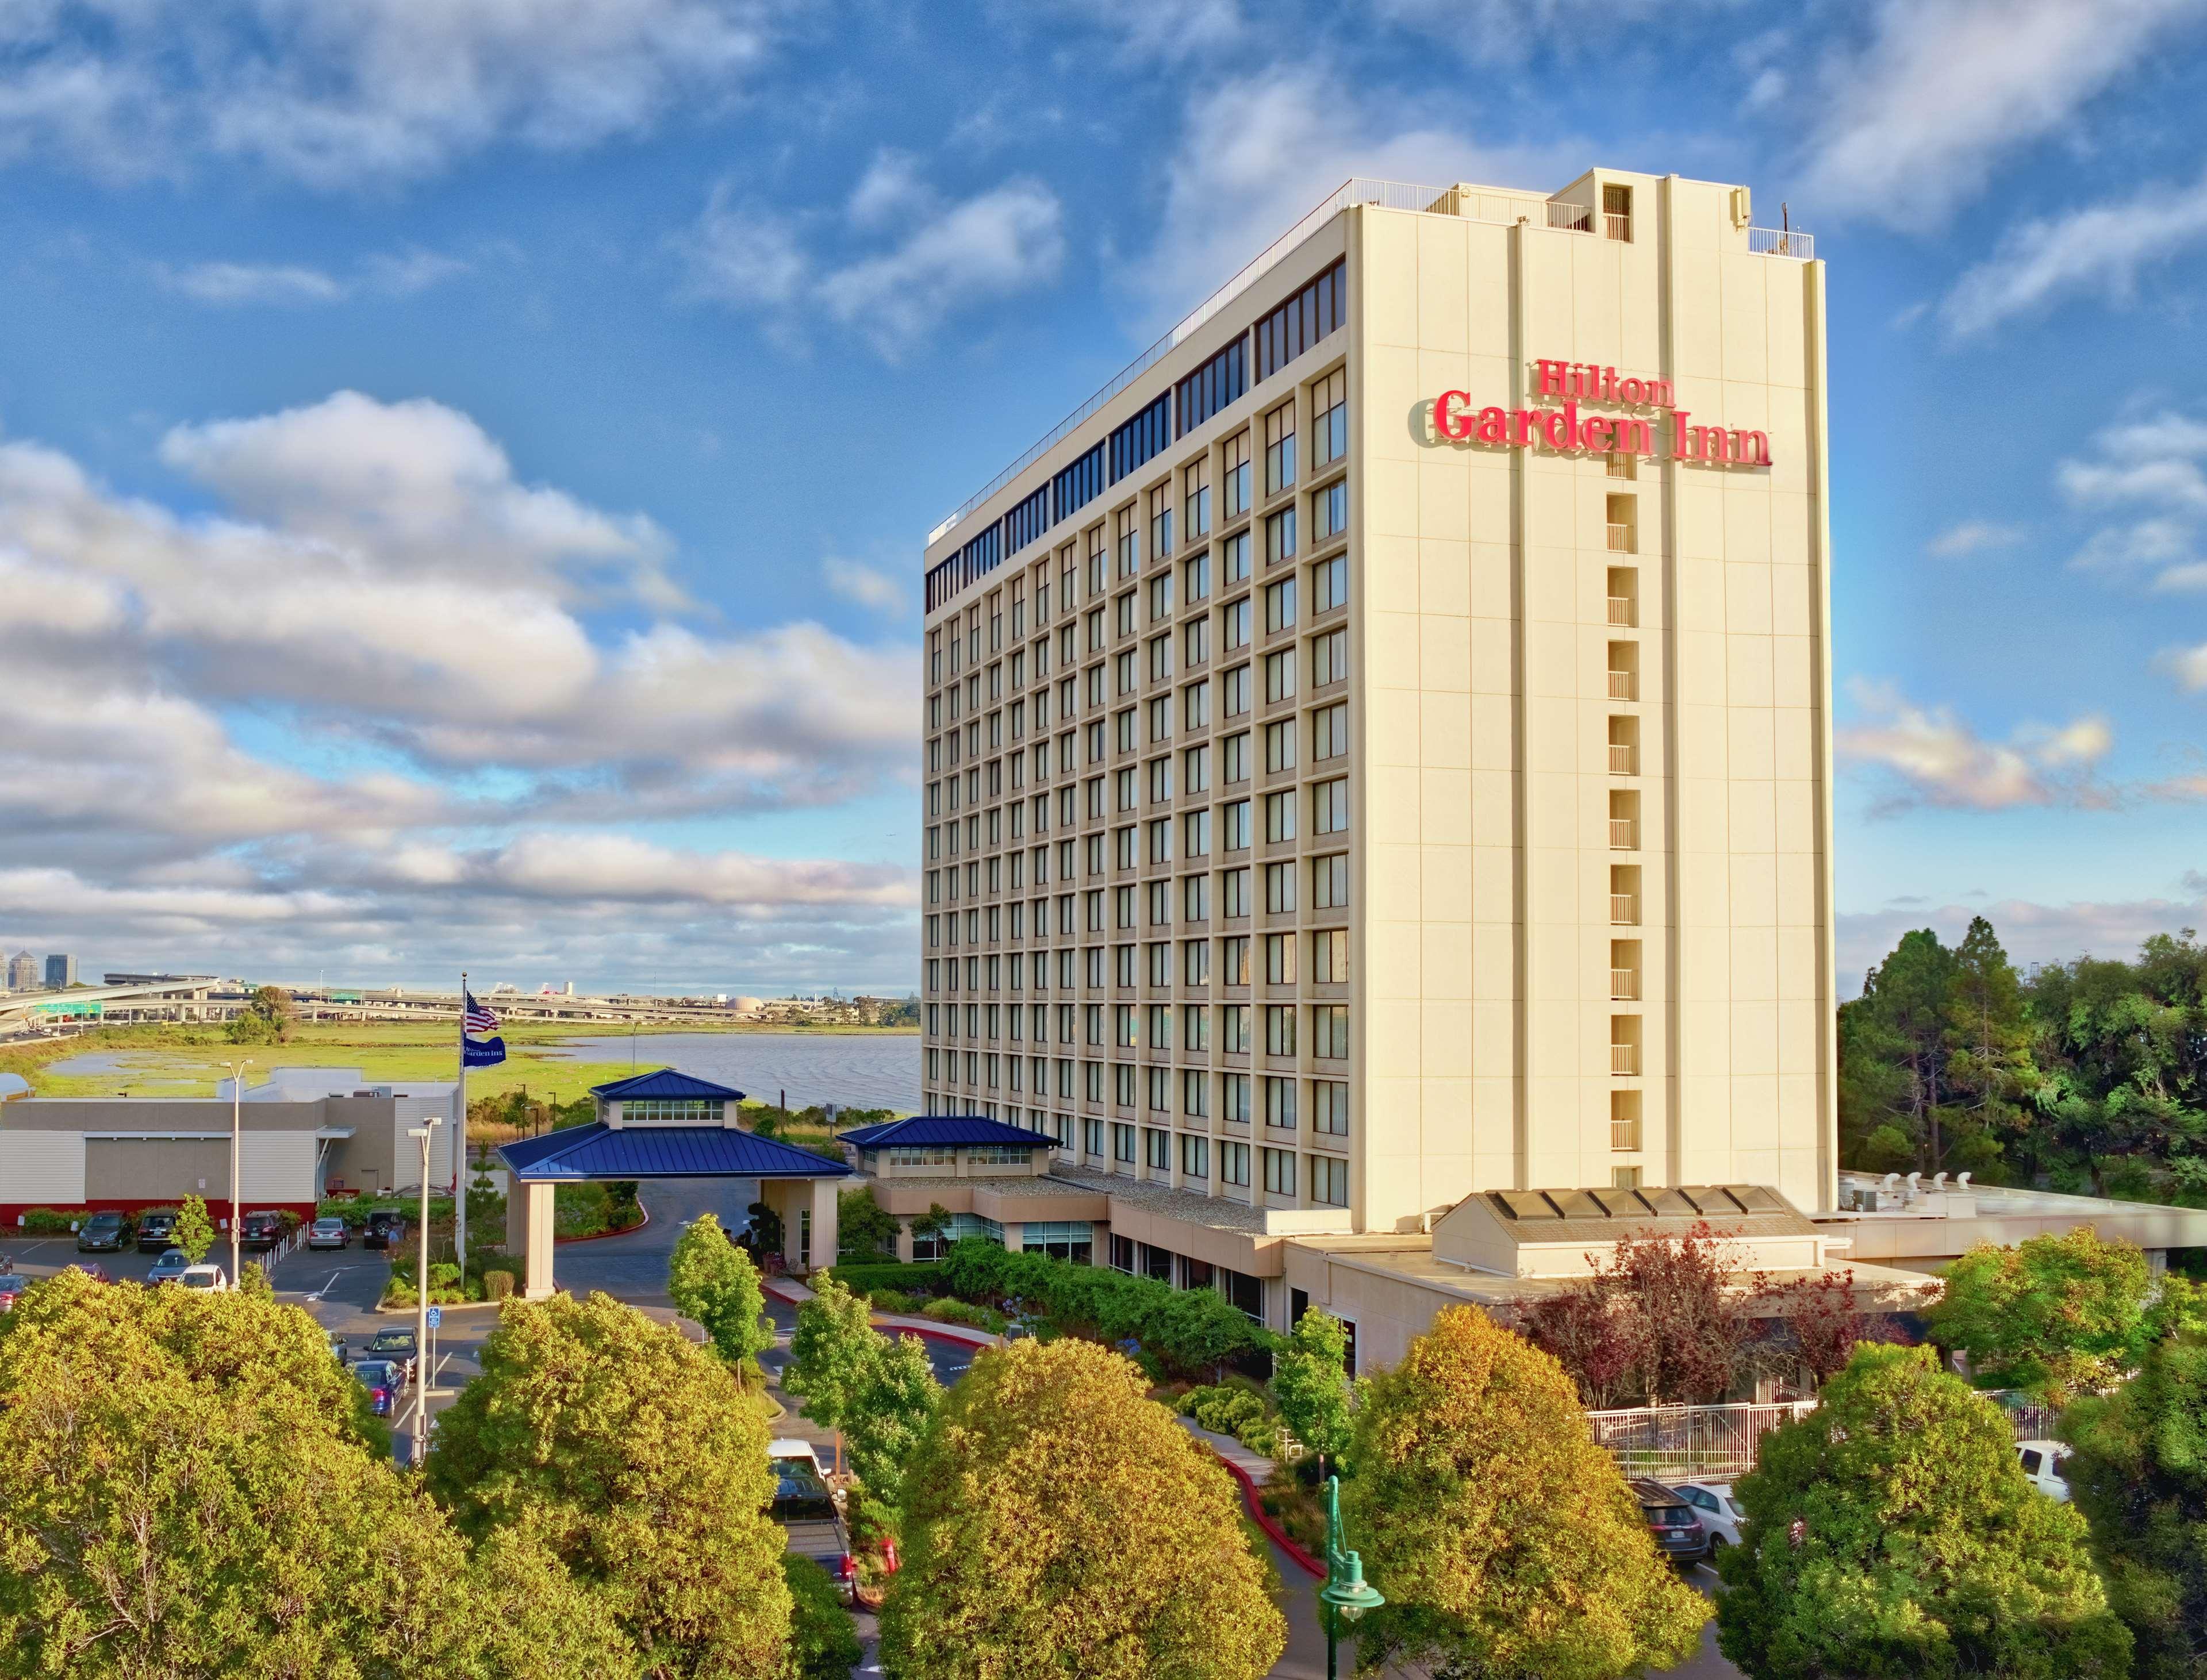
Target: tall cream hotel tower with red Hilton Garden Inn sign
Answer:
pixel 1380 749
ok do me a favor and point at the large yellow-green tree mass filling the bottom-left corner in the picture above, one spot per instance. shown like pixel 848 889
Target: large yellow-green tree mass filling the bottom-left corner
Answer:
pixel 193 1489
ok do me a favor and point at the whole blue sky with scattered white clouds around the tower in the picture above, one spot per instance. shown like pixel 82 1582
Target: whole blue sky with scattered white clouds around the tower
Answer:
pixel 427 520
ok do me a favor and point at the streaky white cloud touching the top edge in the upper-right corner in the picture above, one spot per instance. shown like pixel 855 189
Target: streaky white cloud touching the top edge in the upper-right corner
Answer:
pixel 1915 120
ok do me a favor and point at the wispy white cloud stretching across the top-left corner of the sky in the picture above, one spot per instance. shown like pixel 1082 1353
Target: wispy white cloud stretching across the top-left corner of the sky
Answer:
pixel 365 92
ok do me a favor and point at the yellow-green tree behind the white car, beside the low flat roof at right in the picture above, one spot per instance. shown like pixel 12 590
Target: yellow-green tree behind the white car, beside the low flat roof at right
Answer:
pixel 2058 1315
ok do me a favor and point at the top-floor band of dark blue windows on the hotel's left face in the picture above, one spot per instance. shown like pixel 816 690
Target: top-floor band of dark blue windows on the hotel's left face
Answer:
pixel 1281 337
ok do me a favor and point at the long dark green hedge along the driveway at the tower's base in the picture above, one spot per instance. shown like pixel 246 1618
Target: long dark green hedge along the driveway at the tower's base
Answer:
pixel 1188 1330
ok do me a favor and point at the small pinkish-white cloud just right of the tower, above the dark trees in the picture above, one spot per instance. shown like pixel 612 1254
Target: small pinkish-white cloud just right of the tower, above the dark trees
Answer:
pixel 1939 761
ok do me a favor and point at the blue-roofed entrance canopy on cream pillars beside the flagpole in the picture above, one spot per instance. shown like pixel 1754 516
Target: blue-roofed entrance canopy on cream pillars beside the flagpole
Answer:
pixel 668 1125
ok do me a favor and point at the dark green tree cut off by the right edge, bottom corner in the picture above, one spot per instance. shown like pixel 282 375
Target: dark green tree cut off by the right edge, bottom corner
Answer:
pixel 2140 1478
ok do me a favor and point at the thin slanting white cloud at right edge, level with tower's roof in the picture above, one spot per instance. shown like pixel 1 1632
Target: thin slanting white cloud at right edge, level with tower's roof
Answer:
pixel 2093 251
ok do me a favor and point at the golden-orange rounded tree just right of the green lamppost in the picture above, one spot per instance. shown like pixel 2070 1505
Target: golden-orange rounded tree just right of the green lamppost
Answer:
pixel 1504 1540
